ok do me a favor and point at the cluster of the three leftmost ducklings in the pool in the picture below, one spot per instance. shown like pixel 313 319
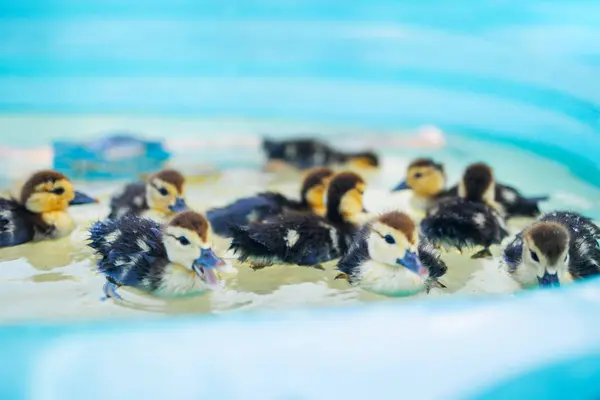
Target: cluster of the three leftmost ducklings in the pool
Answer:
pixel 150 240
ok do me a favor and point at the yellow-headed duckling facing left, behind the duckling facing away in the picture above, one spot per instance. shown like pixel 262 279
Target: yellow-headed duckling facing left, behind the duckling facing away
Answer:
pixel 427 179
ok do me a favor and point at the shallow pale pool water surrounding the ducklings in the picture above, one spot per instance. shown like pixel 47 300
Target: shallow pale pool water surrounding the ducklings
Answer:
pixel 56 280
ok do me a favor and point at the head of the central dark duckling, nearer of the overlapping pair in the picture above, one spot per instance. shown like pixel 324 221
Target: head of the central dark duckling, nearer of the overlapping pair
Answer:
pixel 345 196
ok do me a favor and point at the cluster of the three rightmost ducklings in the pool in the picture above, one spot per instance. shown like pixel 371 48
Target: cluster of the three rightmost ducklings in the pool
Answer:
pixel 558 247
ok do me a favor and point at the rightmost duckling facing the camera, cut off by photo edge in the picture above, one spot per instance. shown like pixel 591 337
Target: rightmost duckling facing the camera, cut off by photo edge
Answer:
pixel 560 247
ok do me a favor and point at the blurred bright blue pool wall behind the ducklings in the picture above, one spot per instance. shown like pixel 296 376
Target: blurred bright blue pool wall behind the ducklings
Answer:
pixel 523 73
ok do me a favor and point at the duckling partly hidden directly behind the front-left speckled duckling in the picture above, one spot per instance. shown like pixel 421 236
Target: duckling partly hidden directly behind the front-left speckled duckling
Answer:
pixel 160 197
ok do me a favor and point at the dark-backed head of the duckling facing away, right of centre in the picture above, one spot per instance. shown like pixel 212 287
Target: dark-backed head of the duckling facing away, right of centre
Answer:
pixel 477 184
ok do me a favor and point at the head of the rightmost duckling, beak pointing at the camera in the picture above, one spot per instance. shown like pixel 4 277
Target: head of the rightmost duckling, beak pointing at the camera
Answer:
pixel 546 252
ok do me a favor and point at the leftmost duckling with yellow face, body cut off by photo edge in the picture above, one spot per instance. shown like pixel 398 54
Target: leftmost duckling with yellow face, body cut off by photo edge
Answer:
pixel 41 211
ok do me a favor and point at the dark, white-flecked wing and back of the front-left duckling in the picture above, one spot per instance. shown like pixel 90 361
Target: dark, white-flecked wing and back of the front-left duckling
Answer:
pixel 132 250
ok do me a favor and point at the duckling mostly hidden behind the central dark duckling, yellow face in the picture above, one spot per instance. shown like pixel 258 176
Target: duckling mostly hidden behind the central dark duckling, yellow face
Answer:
pixel 270 204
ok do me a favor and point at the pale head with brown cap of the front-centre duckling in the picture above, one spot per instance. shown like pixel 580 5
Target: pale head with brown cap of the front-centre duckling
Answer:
pixel 393 241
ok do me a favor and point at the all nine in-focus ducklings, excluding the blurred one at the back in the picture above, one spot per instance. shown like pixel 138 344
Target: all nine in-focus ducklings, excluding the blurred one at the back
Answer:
pixel 152 241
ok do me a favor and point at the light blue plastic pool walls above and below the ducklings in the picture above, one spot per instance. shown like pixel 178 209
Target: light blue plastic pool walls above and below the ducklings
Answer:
pixel 515 73
